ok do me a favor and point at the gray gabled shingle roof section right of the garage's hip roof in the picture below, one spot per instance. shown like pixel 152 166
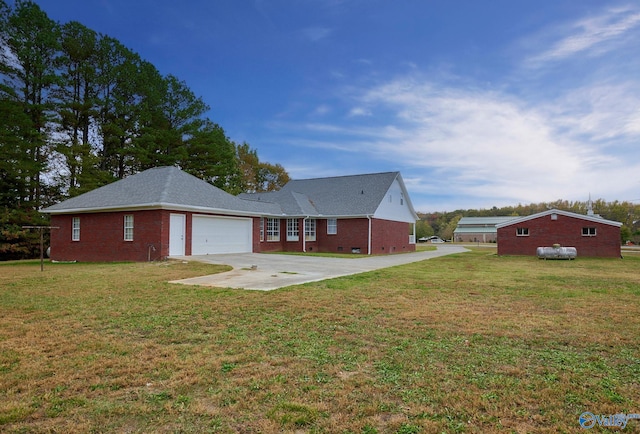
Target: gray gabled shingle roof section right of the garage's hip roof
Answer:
pixel 354 195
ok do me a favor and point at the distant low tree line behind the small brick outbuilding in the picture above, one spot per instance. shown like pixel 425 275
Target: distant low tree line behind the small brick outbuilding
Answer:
pixel 443 224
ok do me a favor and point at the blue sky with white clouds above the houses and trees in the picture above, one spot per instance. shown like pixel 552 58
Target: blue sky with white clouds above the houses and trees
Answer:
pixel 476 103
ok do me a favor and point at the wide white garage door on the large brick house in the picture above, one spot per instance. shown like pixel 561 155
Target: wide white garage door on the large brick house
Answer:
pixel 212 235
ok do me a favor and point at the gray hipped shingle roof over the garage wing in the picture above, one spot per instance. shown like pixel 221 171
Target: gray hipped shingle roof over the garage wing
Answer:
pixel 167 187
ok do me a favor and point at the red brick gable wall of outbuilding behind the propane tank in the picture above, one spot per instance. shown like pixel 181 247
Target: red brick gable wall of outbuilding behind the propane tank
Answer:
pixel 566 231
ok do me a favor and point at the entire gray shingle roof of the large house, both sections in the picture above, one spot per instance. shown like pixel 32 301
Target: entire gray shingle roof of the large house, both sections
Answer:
pixel 171 188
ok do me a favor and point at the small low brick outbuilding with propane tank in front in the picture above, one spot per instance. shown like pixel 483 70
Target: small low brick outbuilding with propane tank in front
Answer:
pixel 591 235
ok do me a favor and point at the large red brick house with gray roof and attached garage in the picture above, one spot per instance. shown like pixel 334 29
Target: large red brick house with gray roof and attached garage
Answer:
pixel 164 212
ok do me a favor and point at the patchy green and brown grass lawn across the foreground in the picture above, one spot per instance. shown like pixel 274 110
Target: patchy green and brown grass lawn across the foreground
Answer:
pixel 466 343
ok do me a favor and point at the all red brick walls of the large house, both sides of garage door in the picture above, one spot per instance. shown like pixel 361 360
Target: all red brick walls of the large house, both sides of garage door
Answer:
pixel 102 237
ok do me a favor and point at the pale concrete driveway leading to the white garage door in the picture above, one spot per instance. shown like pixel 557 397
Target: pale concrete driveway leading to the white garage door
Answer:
pixel 271 271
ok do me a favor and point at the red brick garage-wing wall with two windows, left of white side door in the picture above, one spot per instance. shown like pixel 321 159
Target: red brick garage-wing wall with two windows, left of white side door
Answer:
pixel 102 237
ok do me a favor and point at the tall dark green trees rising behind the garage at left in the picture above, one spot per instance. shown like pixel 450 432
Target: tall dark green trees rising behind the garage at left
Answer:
pixel 79 110
